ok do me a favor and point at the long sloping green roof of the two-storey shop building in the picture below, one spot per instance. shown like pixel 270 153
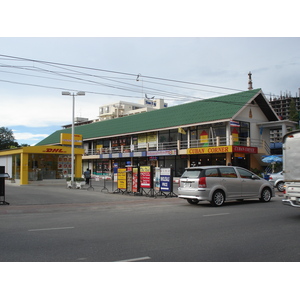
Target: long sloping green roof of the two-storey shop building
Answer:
pixel 213 109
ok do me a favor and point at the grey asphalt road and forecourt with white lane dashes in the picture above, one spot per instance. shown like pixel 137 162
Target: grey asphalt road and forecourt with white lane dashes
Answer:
pixel 49 223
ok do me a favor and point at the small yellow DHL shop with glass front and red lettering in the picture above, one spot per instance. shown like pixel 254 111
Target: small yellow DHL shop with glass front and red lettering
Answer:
pixel 41 162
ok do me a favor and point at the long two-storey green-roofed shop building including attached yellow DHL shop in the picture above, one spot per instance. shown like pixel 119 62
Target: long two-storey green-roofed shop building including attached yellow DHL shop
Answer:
pixel 232 129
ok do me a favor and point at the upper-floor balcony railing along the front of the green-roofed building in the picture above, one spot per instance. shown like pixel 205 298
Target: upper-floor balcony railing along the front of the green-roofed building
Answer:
pixel 180 145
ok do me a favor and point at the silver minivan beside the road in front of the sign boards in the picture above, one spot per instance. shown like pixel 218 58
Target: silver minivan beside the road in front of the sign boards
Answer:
pixel 217 184
